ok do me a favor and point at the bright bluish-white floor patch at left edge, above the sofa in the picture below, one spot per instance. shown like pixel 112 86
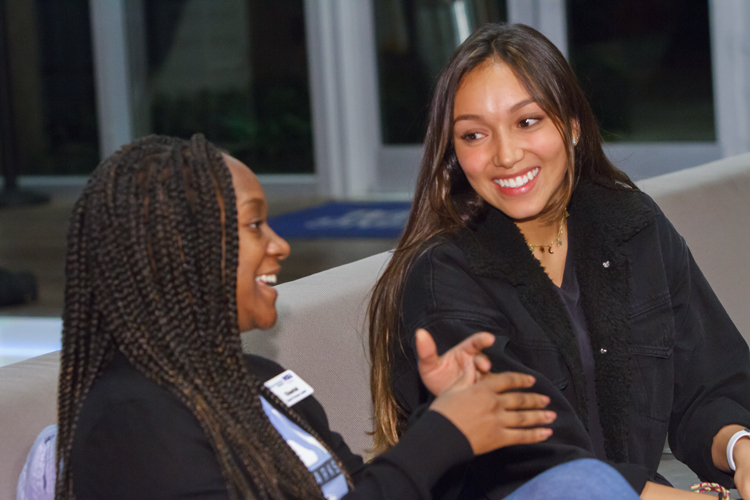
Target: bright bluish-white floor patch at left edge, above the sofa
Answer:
pixel 26 337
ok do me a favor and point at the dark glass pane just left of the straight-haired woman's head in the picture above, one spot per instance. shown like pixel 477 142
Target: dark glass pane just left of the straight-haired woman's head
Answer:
pixel 415 38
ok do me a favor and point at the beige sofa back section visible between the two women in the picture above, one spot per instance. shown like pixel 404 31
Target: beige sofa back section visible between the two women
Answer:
pixel 321 335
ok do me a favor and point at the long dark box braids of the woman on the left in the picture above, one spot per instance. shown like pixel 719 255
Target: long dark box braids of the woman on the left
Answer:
pixel 151 271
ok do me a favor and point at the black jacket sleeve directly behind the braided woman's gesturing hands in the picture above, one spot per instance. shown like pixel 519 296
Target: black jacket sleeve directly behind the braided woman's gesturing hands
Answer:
pixel 443 295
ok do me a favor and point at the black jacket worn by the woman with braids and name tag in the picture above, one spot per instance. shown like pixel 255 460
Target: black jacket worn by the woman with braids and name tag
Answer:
pixel 136 440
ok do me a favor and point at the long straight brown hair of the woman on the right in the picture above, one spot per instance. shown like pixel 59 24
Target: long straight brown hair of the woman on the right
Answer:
pixel 444 202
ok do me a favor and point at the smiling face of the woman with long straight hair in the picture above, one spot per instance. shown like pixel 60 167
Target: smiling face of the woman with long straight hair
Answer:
pixel 509 149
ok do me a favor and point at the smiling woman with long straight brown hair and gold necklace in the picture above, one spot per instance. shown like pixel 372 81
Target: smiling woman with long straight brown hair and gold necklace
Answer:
pixel 521 227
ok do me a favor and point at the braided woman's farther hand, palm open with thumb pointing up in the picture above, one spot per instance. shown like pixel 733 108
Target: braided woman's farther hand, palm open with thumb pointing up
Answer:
pixel 438 373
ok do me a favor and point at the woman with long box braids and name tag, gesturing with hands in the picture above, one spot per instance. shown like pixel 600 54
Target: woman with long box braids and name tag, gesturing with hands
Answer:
pixel 169 258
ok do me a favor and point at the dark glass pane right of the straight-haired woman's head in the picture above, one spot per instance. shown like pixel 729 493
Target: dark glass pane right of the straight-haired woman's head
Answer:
pixel 646 67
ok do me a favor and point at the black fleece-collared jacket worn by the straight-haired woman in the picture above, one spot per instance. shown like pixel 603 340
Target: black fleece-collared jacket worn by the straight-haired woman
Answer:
pixel 667 357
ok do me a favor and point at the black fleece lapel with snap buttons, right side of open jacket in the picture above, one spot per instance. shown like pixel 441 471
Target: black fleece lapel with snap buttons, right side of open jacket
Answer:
pixel 609 217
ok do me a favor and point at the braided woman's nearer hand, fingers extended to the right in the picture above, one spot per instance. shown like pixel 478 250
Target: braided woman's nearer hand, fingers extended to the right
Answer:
pixel 490 415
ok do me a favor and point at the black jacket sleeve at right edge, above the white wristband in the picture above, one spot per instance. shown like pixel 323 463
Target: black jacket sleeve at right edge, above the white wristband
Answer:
pixel 712 362
